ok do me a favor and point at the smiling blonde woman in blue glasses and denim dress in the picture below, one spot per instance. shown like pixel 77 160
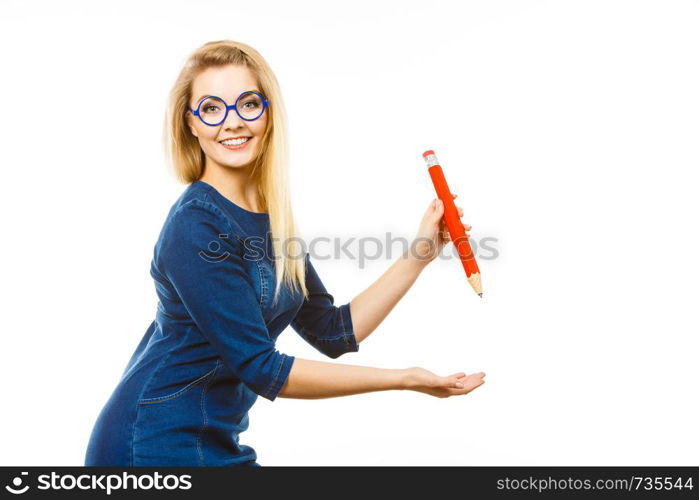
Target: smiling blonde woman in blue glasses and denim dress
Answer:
pixel 184 396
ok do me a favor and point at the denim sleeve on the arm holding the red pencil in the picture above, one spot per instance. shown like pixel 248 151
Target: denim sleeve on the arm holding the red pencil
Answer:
pixel 322 324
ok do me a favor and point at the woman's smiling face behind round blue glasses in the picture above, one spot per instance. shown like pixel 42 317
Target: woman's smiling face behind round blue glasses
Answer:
pixel 227 82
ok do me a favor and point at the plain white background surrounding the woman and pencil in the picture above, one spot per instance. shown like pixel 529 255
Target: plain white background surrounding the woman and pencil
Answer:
pixel 568 129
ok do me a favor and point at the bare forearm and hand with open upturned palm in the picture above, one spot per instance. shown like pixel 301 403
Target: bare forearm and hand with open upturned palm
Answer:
pixel 309 379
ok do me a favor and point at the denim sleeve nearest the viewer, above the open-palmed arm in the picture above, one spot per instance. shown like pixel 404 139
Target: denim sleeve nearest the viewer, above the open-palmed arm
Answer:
pixel 202 258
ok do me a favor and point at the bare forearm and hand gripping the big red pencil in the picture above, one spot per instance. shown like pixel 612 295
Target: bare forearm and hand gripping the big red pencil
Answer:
pixel 369 308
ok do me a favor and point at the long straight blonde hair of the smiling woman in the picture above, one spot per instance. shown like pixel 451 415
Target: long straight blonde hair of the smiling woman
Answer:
pixel 270 168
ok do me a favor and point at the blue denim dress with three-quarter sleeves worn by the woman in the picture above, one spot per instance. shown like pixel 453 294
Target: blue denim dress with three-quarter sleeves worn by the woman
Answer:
pixel 184 396
